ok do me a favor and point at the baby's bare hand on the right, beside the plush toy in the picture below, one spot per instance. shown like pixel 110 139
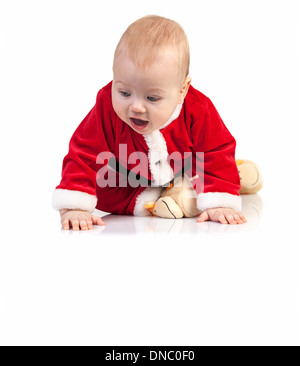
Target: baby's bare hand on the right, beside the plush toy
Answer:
pixel 223 215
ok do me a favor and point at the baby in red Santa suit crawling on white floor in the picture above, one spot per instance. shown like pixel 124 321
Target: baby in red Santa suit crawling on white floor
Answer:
pixel 119 156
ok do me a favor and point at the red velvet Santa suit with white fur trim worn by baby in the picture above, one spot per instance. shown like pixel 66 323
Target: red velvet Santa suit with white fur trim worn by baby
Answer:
pixel 106 168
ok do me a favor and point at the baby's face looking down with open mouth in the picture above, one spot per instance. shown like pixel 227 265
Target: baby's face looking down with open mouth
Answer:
pixel 146 99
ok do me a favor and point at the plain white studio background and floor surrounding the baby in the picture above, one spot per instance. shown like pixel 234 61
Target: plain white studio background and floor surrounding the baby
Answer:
pixel 227 286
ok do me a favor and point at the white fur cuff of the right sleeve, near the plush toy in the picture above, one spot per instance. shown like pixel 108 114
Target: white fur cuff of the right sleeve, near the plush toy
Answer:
pixel 218 199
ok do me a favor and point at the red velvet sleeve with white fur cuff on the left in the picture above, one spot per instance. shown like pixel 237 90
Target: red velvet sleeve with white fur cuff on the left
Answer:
pixel 77 188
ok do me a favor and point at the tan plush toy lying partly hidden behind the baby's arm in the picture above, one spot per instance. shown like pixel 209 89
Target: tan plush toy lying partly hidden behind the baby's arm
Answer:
pixel 180 199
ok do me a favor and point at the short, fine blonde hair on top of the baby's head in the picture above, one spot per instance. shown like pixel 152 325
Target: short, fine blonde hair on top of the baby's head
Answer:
pixel 147 36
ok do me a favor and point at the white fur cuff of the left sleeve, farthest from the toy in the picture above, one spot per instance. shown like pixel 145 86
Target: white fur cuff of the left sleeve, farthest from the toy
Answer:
pixel 64 198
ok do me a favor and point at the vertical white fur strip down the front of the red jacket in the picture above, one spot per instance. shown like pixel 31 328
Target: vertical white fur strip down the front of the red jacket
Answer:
pixel 161 171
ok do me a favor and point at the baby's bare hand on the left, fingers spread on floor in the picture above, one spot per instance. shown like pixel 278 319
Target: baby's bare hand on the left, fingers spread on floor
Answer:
pixel 79 219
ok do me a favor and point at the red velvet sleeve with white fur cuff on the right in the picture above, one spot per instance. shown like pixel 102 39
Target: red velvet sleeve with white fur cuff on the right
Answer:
pixel 219 185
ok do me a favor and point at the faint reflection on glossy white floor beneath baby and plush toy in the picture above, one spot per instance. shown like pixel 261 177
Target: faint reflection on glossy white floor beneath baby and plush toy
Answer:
pixel 122 224
